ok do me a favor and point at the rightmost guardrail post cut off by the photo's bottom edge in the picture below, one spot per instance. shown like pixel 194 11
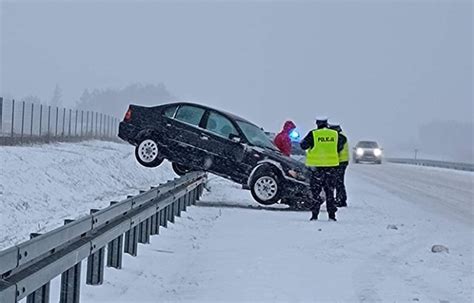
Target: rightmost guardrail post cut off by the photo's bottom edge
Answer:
pixel 71 282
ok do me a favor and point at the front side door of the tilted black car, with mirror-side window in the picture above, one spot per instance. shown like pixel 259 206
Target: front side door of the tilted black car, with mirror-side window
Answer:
pixel 227 154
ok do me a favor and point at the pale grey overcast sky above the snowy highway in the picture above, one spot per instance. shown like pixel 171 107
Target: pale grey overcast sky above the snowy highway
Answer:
pixel 380 68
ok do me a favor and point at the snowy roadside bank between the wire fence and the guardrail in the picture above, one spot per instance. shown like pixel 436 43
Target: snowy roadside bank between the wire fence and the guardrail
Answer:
pixel 42 185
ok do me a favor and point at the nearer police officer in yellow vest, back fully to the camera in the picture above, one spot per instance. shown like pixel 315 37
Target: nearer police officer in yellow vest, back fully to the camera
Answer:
pixel 323 146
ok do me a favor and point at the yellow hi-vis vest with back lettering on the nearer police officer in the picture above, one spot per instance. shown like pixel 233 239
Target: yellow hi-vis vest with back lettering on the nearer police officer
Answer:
pixel 324 151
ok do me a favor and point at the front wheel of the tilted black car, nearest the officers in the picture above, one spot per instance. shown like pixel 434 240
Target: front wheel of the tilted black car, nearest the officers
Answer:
pixel 266 186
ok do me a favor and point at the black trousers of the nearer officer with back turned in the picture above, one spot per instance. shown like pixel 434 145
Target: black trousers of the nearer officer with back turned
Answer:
pixel 323 178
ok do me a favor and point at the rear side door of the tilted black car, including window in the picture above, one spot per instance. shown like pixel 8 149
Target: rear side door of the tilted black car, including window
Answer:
pixel 186 129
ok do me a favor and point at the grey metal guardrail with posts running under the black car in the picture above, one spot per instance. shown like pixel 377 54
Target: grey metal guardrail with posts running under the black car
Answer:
pixel 27 268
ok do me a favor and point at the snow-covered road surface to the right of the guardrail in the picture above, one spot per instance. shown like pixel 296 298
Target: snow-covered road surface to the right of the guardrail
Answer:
pixel 227 249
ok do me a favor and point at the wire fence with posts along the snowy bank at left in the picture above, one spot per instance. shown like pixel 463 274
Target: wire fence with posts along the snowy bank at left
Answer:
pixel 24 122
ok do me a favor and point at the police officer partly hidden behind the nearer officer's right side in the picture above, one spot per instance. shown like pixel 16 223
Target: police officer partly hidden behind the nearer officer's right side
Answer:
pixel 341 195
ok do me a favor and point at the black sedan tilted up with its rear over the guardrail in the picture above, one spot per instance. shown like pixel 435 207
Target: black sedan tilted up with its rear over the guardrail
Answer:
pixel 196 137
